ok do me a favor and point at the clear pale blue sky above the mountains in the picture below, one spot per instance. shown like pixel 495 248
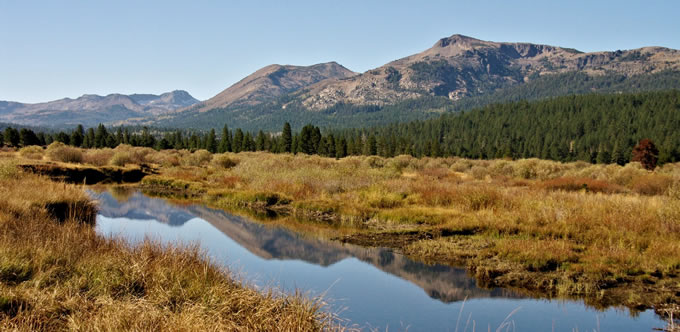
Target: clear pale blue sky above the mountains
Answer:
pixel 55 49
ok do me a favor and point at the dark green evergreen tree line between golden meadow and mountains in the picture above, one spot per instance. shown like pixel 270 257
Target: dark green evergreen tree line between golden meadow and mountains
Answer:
pixel 593 128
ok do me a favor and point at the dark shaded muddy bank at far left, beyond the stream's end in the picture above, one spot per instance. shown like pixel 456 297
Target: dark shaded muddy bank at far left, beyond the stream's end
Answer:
pixel 89 175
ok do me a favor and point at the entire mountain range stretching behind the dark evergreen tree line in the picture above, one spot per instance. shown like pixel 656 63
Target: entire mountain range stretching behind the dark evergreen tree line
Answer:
pixel 456 73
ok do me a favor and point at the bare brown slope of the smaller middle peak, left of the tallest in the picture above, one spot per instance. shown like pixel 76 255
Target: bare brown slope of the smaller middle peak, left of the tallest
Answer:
pixel 274 81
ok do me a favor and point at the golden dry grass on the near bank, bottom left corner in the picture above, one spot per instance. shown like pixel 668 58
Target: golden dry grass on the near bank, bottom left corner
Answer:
pixel 56 273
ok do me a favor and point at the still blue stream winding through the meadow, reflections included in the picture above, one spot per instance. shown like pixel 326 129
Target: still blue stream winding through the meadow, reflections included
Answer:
pixel 371 287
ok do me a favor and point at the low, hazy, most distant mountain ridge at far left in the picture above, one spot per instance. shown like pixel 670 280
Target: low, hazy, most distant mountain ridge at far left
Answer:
pixel 90 110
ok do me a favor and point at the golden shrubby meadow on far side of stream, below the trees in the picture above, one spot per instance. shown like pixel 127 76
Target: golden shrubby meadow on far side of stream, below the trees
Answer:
pixel 606 233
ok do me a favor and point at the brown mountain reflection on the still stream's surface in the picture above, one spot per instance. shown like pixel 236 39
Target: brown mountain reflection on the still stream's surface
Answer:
pixel 444 283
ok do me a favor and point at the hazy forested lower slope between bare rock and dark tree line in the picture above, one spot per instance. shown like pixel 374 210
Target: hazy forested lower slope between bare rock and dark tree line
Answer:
pixel 269 116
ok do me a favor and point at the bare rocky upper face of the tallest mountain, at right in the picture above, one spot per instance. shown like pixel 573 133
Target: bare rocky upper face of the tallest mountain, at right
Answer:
pixel 460 66
